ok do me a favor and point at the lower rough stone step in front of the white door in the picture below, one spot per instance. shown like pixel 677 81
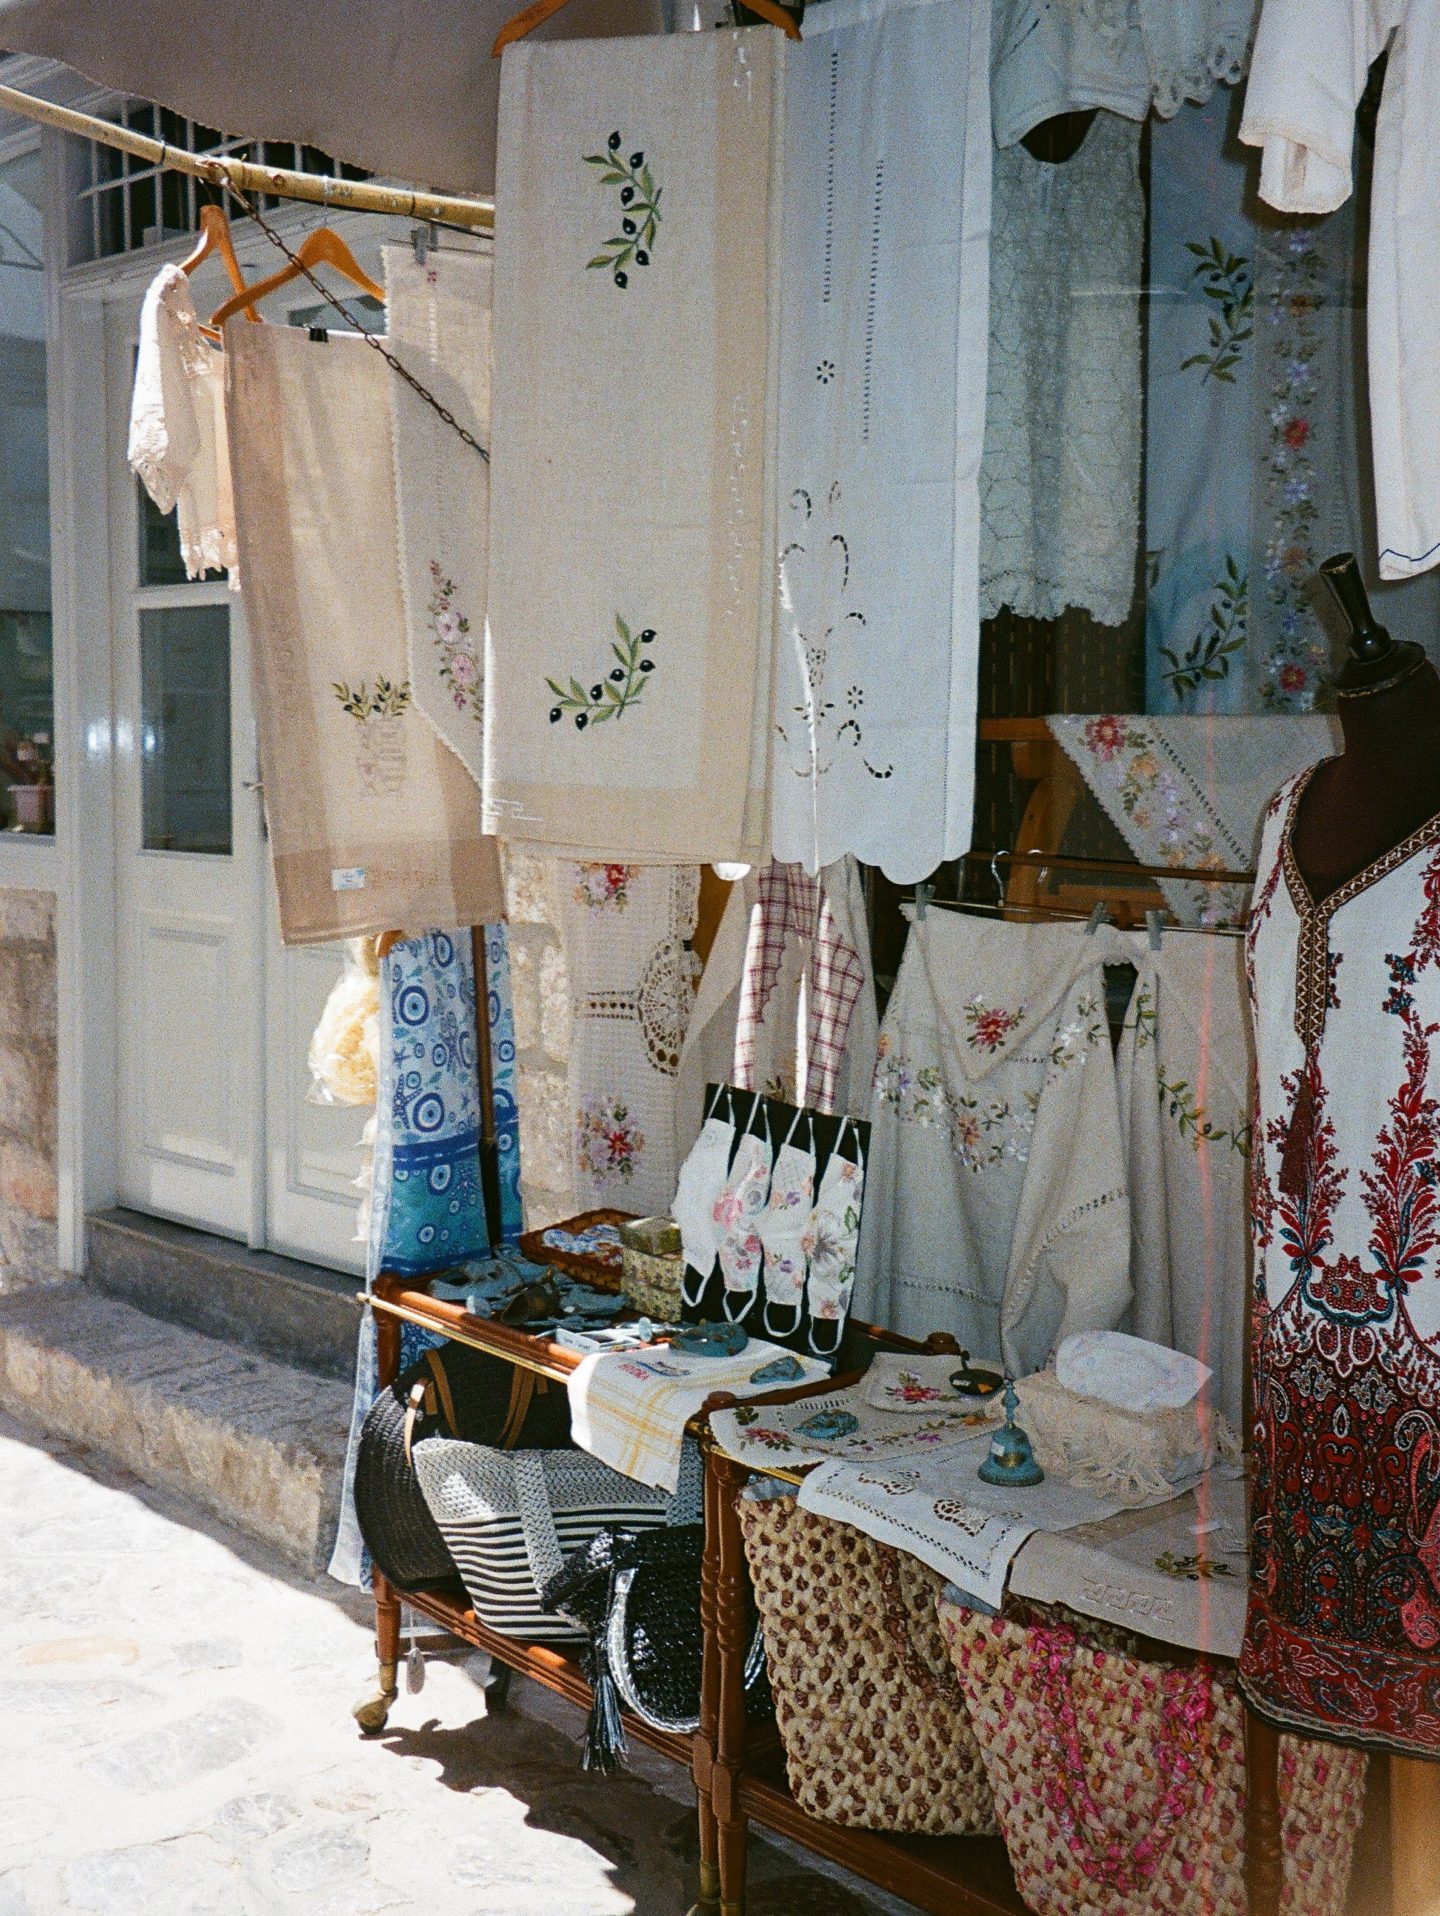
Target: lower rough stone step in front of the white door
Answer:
pixel 252 1440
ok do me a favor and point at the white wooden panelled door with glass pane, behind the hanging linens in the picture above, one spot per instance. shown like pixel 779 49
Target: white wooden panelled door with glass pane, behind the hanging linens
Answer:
pixel 214 1122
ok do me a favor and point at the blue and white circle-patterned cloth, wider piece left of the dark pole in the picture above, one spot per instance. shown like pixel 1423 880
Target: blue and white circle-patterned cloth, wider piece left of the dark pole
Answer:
pixel 428 1208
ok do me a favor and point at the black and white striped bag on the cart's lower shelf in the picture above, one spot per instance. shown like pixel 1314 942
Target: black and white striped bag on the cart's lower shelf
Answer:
pixel 510 1518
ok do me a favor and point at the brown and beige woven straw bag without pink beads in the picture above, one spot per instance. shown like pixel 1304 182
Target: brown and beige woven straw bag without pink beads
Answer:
pixel 868 1706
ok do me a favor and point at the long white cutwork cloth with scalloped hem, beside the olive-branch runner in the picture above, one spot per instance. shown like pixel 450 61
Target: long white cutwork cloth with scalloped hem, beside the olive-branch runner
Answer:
pixel 882 417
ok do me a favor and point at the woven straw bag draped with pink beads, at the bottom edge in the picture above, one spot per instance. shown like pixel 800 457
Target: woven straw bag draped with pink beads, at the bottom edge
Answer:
pixel 1121 1785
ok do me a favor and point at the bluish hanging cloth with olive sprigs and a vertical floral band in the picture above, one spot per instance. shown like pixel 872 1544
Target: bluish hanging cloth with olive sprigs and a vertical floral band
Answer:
pixel 1253 342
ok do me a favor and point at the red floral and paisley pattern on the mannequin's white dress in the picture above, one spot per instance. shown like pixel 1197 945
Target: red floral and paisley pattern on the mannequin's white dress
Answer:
pixel 1343 1631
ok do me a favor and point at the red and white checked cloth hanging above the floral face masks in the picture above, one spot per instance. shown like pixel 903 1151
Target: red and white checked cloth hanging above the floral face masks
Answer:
pixel 792 905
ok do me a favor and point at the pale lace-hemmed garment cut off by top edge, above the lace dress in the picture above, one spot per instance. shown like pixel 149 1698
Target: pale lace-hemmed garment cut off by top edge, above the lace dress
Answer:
pixel 1052 57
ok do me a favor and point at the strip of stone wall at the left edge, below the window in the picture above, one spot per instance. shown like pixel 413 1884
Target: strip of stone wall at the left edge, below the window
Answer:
pixel 28 1087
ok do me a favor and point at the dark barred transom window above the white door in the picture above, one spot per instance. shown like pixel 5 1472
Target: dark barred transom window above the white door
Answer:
pixel 127 204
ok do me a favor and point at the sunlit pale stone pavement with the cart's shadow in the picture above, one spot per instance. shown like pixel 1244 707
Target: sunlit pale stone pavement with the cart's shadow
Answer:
pixel 177 1743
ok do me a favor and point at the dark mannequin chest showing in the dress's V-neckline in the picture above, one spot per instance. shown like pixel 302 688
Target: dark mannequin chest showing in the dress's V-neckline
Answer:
pixel 1380 790
